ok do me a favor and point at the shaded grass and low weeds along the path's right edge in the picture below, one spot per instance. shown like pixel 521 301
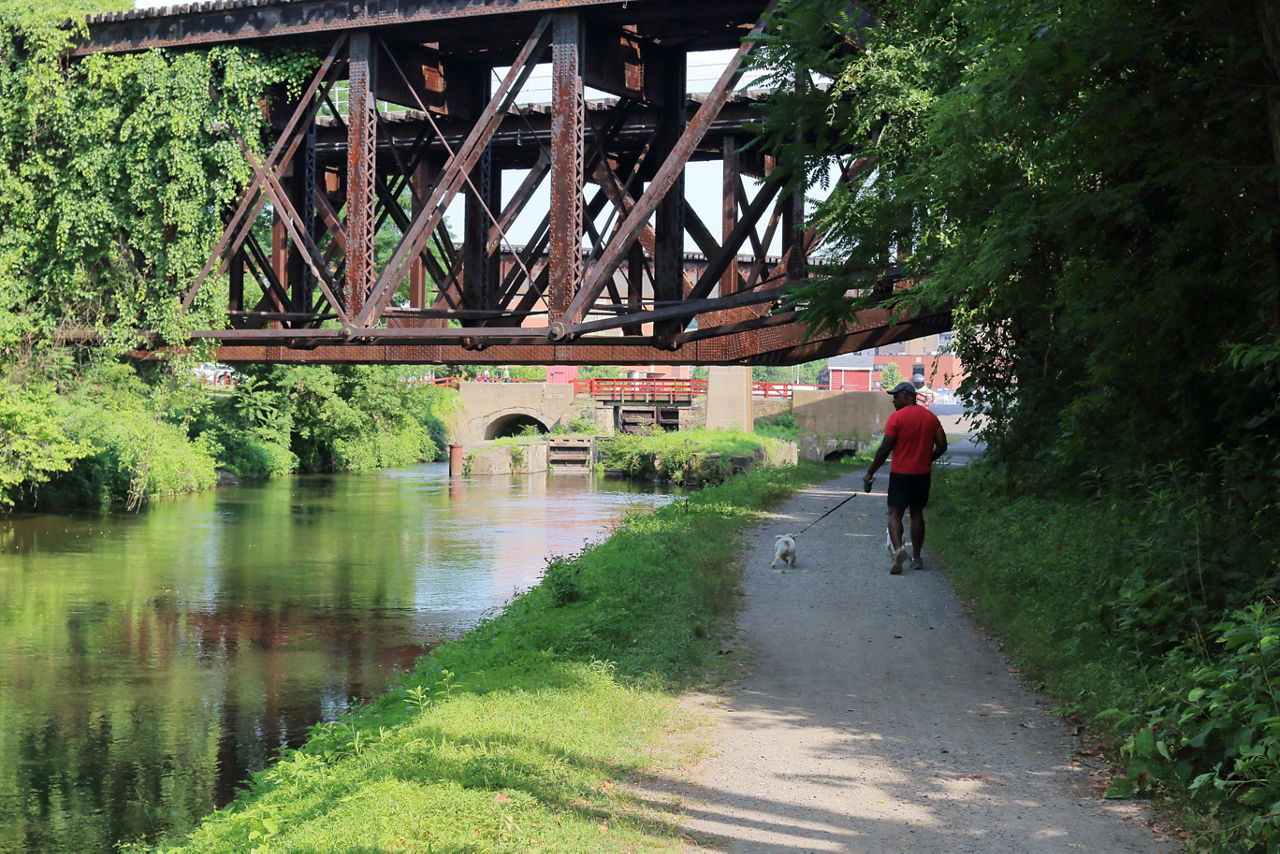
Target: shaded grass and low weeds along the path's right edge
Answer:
pixel 1131 614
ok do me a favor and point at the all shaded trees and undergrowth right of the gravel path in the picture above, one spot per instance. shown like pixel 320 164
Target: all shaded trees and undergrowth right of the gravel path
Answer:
pixel 1092 190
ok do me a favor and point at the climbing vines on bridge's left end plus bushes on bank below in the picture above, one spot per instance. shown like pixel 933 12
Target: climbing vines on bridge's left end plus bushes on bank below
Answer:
pixel 113 176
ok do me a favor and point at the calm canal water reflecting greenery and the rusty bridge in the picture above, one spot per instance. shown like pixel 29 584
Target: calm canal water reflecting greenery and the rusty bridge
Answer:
pixel 149 663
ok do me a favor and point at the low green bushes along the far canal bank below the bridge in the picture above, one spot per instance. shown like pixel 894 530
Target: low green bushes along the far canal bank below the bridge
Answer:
pixel 117 436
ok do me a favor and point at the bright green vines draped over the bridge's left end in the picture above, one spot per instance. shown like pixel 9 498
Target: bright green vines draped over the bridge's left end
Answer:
pixel 116 171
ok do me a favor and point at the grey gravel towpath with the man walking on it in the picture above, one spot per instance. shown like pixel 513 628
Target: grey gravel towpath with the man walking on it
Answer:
pixel 872 716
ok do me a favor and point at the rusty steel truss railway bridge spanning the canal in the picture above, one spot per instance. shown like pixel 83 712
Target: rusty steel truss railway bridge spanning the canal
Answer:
pixel 432 116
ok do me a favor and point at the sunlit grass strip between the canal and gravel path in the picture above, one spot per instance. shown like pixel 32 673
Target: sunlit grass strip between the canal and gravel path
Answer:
pixel 519 736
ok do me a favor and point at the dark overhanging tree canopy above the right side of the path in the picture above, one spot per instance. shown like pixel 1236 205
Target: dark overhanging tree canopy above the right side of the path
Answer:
pixel 1091 186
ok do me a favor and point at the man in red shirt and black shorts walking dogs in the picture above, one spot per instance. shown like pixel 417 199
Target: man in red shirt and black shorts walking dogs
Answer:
pixel 916 439
